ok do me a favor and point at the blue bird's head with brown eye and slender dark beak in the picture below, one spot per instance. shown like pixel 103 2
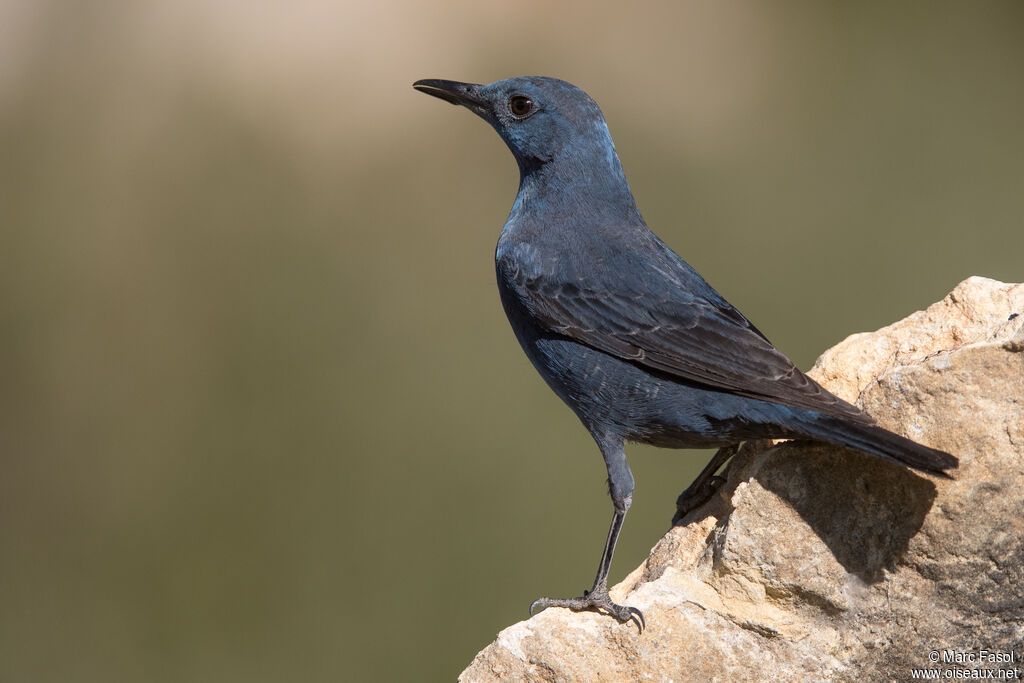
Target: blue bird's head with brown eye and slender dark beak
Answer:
pixel 541 119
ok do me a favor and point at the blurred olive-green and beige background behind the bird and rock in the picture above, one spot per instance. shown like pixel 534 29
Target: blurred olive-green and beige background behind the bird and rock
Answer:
pixel 262 415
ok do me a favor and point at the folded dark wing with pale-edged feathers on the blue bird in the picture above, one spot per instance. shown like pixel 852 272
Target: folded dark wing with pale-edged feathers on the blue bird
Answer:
pixel 696 338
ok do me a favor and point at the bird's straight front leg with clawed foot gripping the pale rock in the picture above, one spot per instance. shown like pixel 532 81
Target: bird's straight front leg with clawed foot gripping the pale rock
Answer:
pixel 598 599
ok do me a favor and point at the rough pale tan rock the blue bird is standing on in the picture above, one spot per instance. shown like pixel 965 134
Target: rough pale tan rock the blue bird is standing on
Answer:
pixel 817 563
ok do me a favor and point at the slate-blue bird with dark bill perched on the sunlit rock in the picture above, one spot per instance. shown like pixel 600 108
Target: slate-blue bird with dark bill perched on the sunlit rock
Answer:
pixel 623 329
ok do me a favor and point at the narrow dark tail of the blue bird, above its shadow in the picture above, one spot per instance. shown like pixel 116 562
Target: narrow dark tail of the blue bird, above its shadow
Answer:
pixel 879 442
